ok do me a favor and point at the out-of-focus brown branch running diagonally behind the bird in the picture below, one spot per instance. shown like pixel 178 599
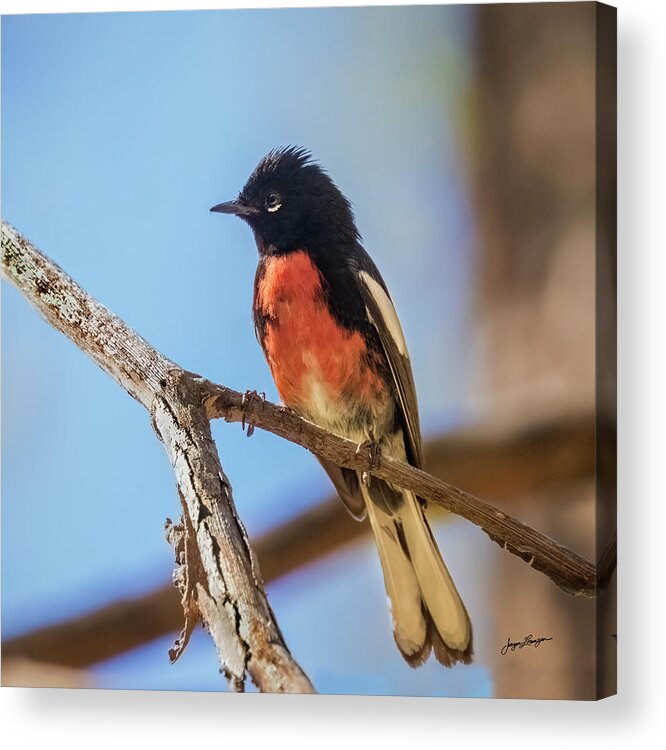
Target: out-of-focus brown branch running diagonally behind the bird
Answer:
pixel 509 458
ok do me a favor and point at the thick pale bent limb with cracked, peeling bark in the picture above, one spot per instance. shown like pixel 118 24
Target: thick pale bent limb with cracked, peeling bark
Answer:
pixel 225 588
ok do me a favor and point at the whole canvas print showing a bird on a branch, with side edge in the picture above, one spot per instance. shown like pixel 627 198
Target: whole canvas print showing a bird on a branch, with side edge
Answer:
pixel 476 145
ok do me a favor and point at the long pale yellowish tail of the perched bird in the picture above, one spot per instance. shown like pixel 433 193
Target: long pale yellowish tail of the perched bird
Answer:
pixel 427 610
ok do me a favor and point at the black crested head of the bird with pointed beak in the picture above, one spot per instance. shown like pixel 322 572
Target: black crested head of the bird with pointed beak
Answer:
pixel 291 203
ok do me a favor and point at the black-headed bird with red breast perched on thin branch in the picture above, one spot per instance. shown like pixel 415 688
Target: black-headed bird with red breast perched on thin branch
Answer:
pixel 337 353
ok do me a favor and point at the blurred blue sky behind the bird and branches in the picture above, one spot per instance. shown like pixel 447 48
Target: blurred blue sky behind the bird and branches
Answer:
pixel 118 133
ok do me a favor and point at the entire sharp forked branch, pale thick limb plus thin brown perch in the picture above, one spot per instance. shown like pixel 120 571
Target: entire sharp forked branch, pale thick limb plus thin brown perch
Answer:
pixel 160 384
